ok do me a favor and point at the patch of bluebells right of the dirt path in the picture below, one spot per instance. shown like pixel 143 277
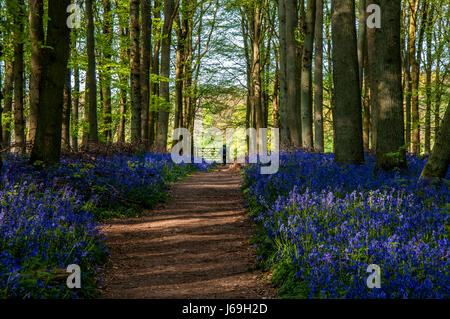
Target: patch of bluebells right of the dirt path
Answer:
pixel 330 222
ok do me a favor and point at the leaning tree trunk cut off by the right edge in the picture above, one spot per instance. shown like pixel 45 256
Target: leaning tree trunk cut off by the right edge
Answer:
pixel 439 161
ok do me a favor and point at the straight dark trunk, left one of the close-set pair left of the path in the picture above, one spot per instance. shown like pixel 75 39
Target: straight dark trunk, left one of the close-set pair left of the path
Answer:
pixel 136 98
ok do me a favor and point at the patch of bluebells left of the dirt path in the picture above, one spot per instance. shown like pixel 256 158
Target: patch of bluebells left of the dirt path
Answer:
pixel 48 217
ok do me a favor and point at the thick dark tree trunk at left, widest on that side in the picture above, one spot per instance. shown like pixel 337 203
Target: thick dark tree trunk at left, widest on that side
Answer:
pixel 55 56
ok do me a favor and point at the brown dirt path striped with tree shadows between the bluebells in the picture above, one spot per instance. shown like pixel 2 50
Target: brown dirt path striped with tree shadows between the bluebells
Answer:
pixel 195 246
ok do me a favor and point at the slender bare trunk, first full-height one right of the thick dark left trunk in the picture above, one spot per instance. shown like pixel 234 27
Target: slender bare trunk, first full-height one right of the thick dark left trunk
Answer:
pixel 91 98
